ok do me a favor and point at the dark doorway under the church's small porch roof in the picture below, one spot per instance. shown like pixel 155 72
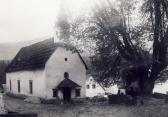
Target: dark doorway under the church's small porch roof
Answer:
pixel 67 94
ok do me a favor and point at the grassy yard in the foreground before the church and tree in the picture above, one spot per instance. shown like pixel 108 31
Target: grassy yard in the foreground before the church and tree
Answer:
pixel 154 108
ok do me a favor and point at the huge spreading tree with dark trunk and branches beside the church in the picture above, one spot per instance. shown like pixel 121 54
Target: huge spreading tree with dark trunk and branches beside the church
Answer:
pixel 112 32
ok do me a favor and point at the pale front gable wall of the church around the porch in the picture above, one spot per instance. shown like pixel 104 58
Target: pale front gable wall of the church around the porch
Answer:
pixel 57 66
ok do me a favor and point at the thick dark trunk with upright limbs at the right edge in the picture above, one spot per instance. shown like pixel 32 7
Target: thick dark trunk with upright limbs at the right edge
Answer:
pixel 157 11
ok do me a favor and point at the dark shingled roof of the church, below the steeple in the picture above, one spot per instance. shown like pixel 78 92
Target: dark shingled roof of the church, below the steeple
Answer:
pixel 36 55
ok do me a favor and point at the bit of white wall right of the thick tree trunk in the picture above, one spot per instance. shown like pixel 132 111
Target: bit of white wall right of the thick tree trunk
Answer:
pixel 161 88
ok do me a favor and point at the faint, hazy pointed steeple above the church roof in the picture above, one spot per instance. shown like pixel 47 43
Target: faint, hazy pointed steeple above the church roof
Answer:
pixel 62 26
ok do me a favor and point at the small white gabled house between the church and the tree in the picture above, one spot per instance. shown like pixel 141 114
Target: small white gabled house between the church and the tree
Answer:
pixel 95 89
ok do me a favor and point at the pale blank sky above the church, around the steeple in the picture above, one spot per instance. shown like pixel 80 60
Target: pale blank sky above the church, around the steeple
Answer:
pixel 22 20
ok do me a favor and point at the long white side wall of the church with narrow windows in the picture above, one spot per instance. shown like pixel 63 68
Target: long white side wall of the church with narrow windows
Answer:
pixel 37 77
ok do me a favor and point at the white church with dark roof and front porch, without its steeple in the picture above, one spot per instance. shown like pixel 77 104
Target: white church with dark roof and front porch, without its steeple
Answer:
pixel 47 70
